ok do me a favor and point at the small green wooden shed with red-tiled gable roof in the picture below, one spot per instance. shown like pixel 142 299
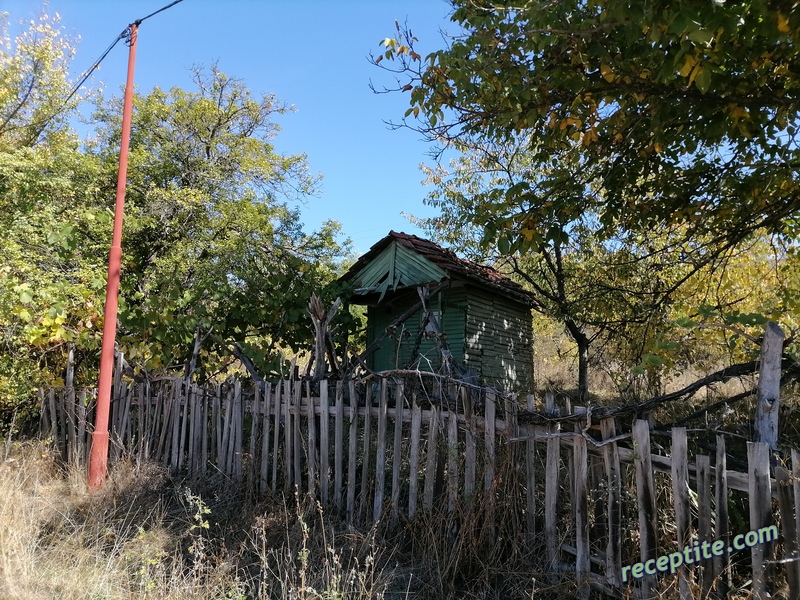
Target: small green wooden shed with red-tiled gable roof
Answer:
pixel 483 318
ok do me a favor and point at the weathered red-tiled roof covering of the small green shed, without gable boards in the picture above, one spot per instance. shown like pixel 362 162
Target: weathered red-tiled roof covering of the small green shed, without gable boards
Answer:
pixel 448 261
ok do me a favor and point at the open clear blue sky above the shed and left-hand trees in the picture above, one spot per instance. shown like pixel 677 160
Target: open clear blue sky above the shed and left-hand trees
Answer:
pixel 310 53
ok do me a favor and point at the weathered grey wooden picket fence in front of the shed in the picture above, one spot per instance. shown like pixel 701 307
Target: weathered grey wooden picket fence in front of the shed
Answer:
pixel 589 497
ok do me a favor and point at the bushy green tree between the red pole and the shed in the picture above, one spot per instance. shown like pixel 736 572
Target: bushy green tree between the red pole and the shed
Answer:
pixel 211 245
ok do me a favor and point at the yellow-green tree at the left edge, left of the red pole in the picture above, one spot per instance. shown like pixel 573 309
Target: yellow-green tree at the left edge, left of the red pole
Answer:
pixel 45 297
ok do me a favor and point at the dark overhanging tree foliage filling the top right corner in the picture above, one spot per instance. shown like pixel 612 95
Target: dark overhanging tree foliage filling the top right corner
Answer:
pixel 677 113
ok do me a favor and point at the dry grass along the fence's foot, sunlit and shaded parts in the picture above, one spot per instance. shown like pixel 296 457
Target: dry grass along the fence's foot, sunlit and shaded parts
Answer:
pixel 150 535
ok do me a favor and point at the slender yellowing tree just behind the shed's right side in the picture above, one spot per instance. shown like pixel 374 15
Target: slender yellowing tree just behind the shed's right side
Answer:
pixel 603 289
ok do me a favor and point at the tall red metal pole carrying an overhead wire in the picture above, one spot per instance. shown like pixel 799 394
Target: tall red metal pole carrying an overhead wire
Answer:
pixel 98 459
